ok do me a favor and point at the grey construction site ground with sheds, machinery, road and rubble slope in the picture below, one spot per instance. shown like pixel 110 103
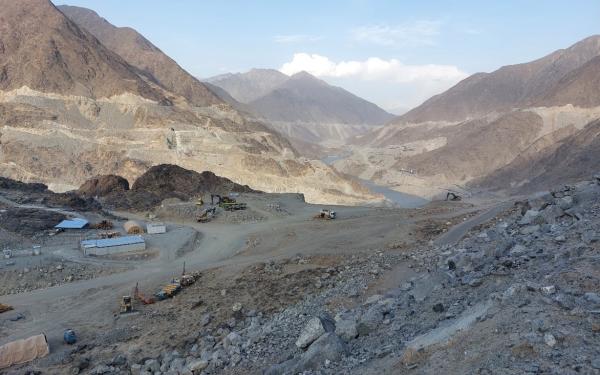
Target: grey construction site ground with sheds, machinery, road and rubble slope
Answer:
pixel 249 282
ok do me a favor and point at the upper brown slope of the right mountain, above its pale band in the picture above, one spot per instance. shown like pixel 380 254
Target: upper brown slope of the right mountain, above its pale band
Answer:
pixel 513 86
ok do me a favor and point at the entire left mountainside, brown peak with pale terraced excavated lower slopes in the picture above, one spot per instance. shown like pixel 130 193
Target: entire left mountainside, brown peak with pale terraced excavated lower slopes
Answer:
pixel 72 108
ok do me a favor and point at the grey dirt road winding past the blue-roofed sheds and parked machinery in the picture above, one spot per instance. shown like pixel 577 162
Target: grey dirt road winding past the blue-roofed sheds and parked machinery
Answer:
pixel 90 305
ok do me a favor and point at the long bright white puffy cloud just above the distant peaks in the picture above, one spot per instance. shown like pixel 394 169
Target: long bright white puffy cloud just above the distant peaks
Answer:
pixel 374 68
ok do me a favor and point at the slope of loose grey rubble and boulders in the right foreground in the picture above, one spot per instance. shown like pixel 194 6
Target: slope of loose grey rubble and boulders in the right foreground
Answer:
pixel 519 294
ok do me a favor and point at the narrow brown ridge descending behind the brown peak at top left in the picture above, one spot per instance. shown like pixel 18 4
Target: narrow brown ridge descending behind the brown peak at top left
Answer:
pixel 141 53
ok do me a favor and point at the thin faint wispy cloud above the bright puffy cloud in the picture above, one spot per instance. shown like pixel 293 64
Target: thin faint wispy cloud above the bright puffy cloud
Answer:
pixel 408 34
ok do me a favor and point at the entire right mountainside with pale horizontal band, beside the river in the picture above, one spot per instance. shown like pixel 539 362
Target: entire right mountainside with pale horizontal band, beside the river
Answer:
pixel 487 128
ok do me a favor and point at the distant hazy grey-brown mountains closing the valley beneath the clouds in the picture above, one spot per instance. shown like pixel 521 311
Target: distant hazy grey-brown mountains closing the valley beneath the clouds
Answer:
pixel 301 106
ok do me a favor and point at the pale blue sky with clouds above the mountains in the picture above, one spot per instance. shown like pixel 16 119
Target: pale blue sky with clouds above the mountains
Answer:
pixel 393 53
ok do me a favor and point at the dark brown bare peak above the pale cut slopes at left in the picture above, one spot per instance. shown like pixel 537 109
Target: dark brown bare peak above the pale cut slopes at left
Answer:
pixel 44 50
